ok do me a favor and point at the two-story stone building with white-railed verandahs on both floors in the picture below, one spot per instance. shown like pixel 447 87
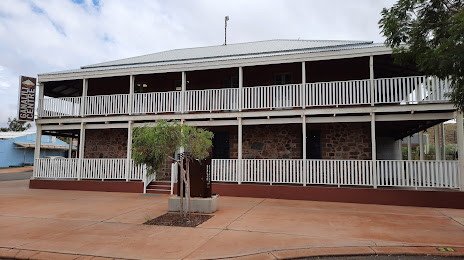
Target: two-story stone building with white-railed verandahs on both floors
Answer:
pixel 285 113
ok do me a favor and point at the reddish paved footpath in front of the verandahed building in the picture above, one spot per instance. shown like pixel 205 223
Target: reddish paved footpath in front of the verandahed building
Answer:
pixel 54 224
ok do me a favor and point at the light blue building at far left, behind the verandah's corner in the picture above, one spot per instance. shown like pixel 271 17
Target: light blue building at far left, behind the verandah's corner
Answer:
pixel 17 148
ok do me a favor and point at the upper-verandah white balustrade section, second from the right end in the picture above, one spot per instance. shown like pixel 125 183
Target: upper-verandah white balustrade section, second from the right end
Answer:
pixel 351 92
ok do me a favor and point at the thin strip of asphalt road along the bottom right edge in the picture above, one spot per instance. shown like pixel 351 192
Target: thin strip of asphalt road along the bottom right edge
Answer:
pixel 384 257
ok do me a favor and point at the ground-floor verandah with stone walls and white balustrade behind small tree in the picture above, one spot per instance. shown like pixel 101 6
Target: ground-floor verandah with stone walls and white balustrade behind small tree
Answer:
pixel 338 154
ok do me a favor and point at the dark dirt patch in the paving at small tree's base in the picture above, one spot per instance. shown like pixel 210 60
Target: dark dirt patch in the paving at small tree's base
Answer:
pixel 174 219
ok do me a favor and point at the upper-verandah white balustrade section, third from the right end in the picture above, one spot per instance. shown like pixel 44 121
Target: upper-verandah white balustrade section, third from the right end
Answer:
pixel 276 96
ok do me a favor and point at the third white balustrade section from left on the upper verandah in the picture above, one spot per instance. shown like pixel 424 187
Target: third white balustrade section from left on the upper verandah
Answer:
pixel 157 102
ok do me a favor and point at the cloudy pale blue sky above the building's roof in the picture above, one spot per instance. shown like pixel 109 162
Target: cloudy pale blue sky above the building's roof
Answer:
pixel 39 36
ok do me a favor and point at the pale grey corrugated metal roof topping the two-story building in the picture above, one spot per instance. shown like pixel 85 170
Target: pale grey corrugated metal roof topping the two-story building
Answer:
pixel 226 52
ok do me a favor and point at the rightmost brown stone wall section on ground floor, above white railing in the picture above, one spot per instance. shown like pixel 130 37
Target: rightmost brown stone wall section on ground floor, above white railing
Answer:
pixel 346 141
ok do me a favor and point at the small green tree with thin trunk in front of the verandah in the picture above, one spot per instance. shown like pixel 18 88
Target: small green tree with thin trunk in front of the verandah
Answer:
pixel 156 145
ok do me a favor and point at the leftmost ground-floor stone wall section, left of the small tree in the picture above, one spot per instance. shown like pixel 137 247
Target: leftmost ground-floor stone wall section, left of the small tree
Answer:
pixel 105 143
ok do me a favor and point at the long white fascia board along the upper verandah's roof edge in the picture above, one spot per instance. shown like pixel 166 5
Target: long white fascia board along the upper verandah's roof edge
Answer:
pixel 239 62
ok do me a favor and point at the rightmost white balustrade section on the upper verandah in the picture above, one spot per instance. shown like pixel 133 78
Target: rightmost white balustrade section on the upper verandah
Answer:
pixel 410 90
